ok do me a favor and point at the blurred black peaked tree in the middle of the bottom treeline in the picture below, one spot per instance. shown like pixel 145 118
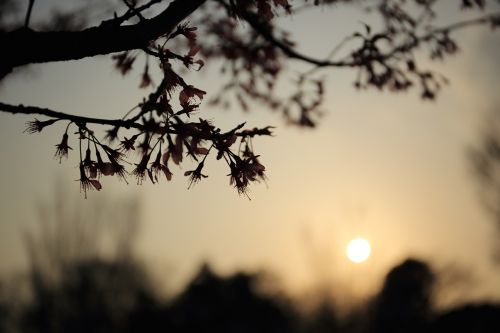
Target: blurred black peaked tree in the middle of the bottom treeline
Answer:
pixel 215 304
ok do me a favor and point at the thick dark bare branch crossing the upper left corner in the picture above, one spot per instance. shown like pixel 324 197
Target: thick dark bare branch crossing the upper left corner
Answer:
pixel 25 46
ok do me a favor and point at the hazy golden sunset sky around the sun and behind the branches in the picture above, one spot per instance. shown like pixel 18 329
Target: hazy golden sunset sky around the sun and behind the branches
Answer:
pixel 388 167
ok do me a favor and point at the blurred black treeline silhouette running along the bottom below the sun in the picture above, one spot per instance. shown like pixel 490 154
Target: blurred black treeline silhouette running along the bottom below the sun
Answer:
pixel 111 295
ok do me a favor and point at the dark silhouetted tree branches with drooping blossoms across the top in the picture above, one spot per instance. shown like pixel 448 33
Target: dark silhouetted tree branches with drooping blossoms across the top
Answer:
pixel 246 38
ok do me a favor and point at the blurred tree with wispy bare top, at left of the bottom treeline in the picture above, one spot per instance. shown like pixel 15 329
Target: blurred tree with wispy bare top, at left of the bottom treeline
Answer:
pixel 82 281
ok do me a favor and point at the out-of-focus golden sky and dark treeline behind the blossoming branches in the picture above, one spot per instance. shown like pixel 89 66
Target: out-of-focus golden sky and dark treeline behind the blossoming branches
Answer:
pixel 412 177
